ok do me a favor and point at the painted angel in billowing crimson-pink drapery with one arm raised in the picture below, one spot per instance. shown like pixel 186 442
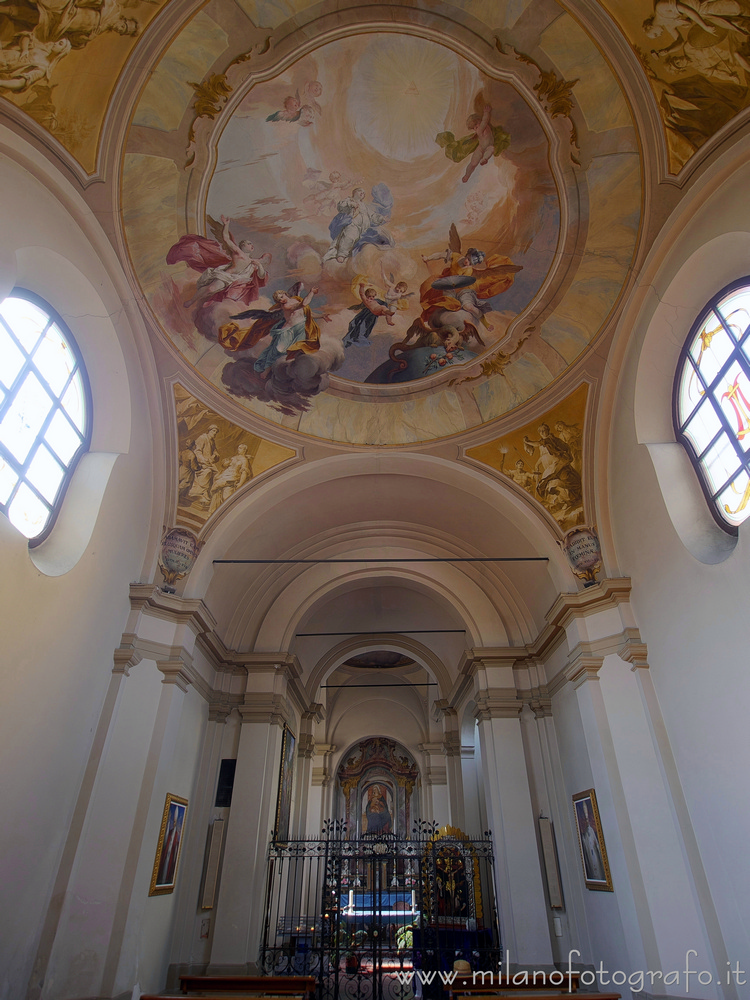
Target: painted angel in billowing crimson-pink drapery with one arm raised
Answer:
pixel 227 268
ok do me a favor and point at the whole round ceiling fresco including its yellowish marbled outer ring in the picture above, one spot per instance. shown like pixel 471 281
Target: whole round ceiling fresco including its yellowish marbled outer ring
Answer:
pixel 386 237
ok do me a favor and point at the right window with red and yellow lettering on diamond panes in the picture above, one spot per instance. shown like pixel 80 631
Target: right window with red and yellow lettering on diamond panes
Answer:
pixel 711 403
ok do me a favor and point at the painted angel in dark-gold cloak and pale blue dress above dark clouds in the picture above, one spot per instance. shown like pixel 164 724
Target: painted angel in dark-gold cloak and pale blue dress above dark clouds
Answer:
pixel 289 324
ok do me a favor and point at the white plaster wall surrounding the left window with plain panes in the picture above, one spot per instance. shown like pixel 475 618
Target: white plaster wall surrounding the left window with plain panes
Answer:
pixel 59 632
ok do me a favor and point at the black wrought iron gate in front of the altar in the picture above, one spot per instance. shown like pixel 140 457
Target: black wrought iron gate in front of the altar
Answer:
pixel 372 918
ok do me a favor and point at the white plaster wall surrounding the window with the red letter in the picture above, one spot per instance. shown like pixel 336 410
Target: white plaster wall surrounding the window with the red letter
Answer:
pixel 693 615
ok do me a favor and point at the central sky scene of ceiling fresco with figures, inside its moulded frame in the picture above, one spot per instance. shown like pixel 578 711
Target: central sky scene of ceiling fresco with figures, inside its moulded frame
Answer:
pixel 380 212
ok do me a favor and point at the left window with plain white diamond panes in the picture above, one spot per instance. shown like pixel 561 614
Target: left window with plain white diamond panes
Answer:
pixel 45 412
